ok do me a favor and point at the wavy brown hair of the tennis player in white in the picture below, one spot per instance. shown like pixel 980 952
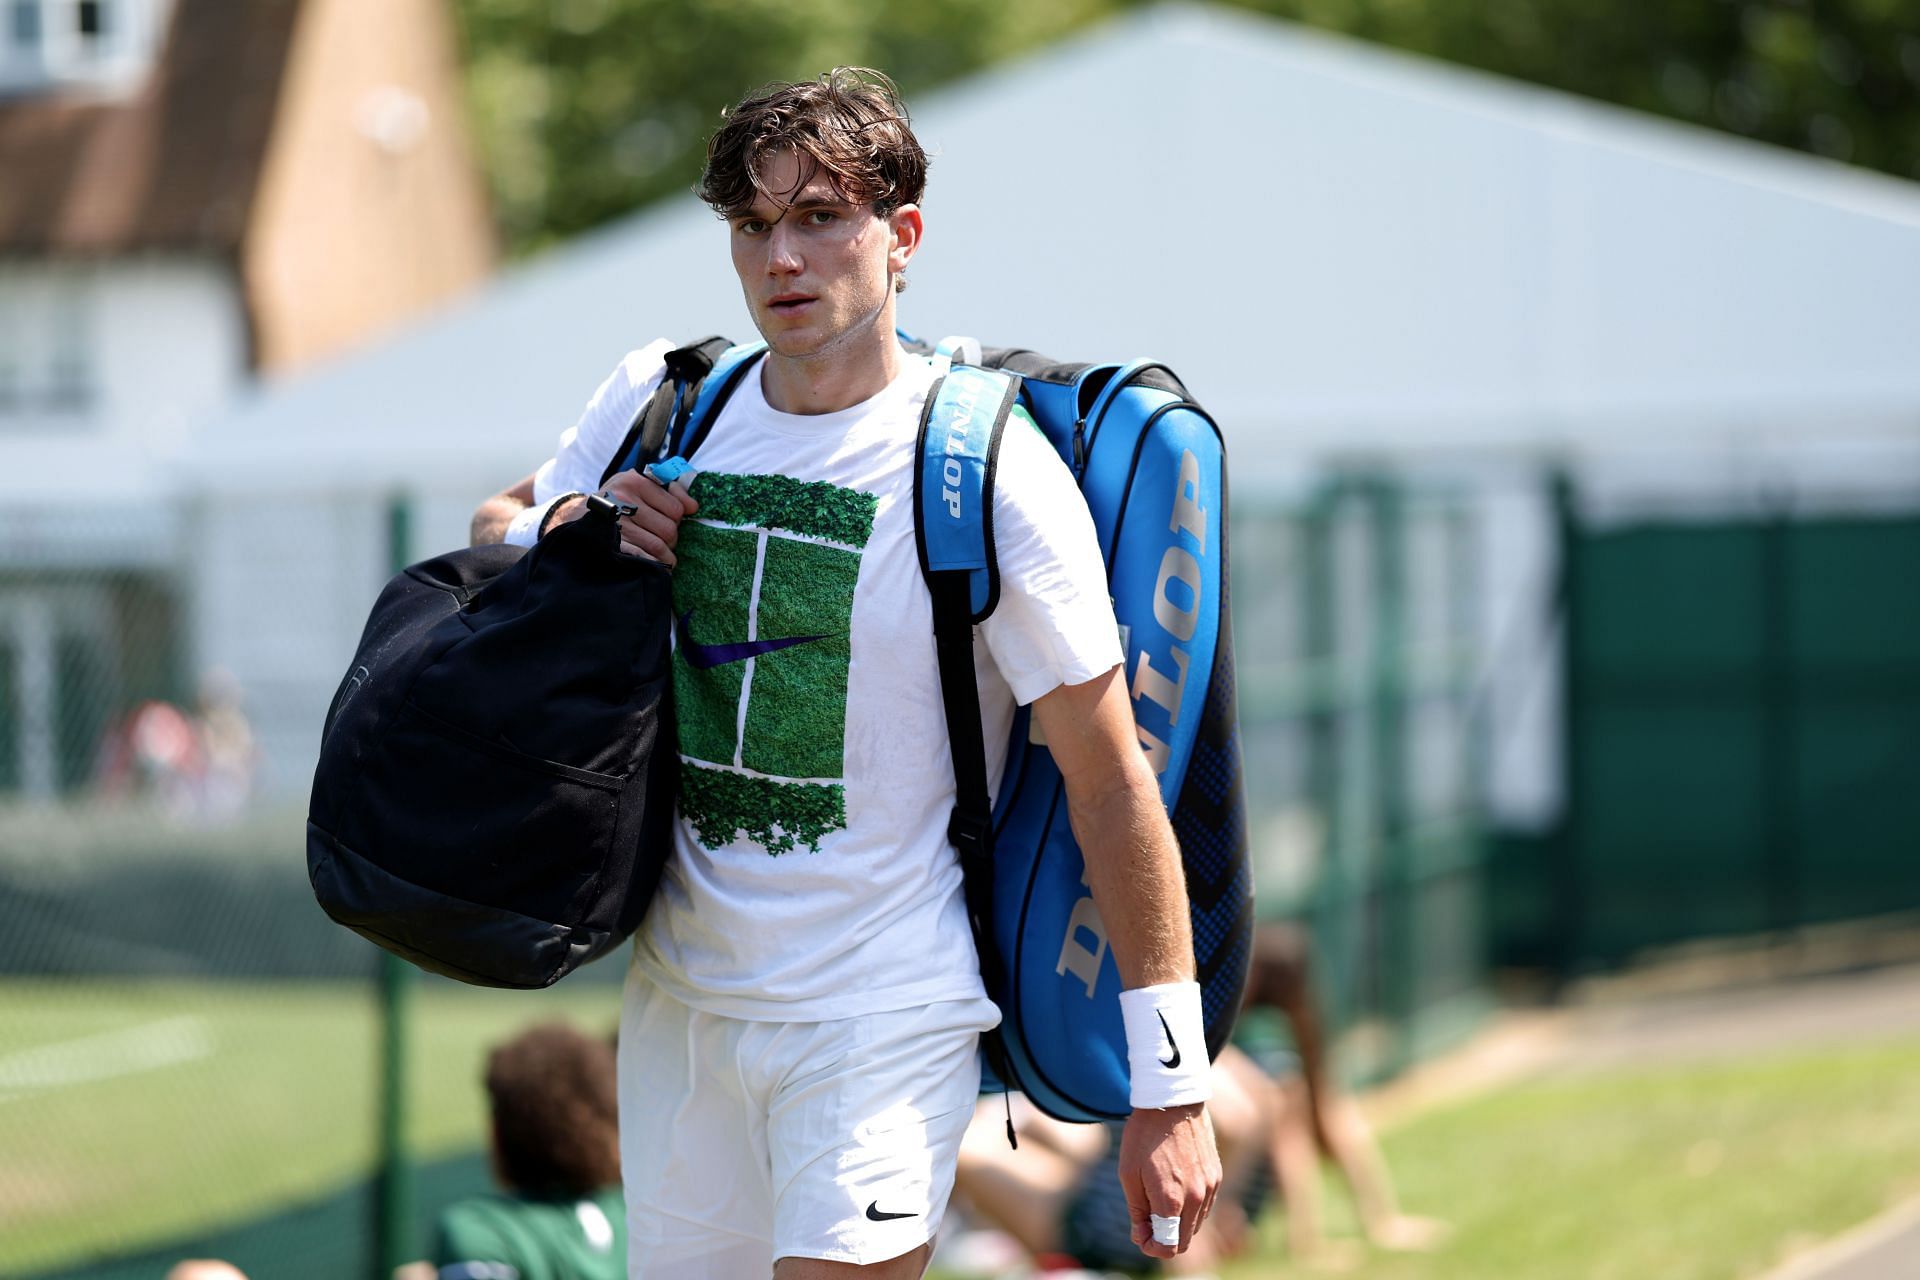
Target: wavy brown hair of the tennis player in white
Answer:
pixel 848 124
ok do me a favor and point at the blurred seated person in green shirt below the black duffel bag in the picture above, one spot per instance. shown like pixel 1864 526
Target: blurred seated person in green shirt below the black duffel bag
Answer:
pixel 556 1154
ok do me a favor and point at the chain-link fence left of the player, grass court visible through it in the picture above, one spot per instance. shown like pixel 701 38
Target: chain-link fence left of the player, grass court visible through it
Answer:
pixel 193 1058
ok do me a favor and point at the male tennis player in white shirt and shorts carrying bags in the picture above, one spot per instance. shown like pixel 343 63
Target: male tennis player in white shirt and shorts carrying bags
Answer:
pixel 800 1035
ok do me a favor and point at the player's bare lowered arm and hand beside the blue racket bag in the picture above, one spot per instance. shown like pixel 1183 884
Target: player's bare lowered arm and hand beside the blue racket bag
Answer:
pixel 1168 1164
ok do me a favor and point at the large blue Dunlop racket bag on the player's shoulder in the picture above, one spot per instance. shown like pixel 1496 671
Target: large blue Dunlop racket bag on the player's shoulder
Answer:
pixel 1153 469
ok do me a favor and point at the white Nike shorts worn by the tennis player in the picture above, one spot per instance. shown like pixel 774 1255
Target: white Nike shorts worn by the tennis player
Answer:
pixel 744 1143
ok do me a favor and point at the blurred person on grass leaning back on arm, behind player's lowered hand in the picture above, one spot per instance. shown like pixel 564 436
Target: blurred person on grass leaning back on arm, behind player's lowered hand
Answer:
pixel 1061 1198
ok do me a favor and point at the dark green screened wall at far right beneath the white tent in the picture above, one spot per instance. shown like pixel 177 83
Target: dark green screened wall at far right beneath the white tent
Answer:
pixel 1742 738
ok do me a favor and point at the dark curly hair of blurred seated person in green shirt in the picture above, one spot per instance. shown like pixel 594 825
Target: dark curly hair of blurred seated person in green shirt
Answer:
pixel 554 1112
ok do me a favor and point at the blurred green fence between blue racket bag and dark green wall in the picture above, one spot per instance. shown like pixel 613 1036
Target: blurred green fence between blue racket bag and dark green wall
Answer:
pixel 1356 628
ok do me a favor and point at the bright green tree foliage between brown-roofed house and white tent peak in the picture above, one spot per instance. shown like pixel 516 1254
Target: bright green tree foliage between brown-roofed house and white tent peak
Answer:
pixel 590 108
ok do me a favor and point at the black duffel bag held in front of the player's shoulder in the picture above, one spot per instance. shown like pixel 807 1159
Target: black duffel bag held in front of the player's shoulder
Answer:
pixel 489 799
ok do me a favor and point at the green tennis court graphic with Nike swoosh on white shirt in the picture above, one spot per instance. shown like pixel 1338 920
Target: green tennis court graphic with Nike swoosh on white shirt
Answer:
pixel 763 598
